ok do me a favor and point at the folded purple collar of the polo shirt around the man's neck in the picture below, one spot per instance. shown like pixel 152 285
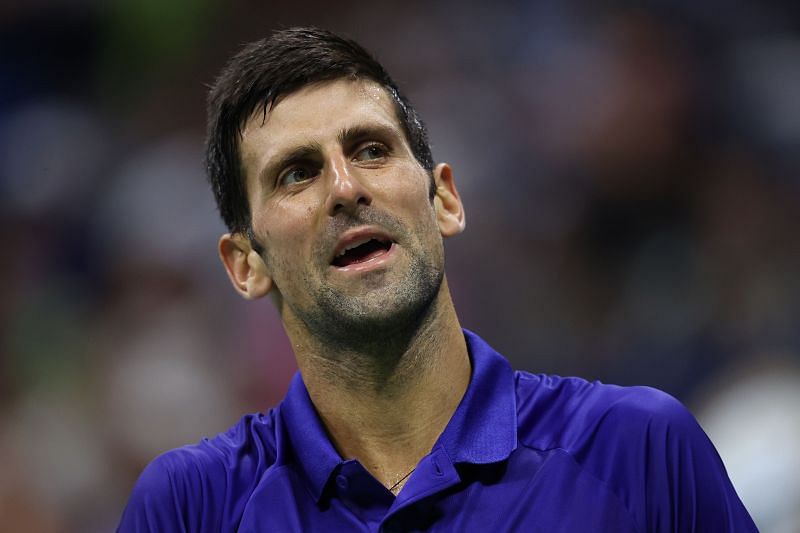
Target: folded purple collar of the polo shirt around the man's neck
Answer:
pixel 482 430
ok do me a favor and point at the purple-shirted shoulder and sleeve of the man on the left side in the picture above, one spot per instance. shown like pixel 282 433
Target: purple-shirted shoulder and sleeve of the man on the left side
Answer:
pixel 203 486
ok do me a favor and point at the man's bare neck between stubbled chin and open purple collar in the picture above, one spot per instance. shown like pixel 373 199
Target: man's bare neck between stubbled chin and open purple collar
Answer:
pixel 386 404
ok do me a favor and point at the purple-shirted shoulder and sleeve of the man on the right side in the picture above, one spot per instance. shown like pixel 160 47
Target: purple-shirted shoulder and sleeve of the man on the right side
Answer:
pixel 642 443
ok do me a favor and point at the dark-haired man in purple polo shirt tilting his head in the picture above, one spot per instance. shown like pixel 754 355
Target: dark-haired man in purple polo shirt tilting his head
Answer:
pixel 398 420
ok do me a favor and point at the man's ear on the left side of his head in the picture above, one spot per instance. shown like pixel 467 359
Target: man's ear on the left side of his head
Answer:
pixel 246 269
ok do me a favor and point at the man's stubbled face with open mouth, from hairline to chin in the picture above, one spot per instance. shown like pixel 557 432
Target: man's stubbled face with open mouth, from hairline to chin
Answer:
pixel 342 208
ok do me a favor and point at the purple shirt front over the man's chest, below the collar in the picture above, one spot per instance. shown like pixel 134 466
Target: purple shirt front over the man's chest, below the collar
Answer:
pixel 532 491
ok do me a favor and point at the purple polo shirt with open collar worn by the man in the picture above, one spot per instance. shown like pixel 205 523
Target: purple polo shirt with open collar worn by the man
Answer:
pixel 522 452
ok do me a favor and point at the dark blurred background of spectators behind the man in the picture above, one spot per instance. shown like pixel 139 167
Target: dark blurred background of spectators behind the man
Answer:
pixel 630 172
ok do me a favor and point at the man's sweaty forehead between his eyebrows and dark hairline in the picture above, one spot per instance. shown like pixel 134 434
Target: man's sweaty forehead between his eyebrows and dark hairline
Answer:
pixel 315 114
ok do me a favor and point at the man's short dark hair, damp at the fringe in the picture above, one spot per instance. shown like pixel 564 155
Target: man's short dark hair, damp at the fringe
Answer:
pixel 264 71
